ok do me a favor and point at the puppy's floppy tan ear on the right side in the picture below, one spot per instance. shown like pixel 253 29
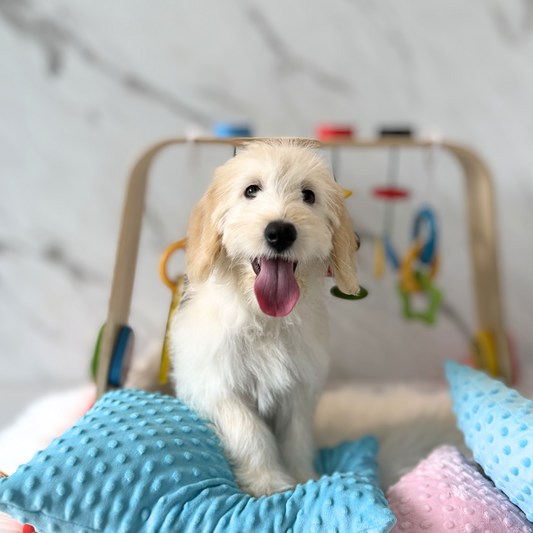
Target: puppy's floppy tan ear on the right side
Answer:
pixel 345 246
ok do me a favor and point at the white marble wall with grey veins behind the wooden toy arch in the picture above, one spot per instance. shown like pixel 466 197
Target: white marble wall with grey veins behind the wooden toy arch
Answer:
pixel 85 86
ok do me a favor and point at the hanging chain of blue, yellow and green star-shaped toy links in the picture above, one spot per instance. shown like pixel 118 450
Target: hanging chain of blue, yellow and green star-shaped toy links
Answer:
pixel 419 266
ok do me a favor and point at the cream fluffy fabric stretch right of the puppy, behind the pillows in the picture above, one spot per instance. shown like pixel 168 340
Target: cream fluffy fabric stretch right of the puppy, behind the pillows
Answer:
pixel 409 421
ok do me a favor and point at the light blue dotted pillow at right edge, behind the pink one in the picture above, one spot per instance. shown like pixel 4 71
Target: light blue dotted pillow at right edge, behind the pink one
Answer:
pixel 498 426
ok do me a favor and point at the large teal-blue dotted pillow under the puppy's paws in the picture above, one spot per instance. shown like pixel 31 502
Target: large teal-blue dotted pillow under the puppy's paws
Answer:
pixel 140 462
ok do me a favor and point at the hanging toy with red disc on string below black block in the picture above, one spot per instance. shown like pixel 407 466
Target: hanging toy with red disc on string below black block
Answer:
pixel 389 193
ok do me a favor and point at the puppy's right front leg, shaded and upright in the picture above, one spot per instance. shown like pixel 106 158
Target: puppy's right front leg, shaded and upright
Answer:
pixel 295 435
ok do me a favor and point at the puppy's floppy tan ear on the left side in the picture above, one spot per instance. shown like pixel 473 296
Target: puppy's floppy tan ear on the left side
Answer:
pixel 204 244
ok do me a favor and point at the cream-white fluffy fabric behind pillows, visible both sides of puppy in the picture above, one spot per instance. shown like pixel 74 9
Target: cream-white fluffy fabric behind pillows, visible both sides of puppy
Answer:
pixel 409 420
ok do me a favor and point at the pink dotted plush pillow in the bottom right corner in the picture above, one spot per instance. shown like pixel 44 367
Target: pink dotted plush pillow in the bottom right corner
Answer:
pixel 446 494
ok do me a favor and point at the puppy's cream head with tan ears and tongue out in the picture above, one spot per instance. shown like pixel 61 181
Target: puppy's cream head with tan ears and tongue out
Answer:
pixel 274 216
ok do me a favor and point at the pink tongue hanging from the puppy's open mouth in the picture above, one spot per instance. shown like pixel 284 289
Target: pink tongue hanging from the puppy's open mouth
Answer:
pixel 275 288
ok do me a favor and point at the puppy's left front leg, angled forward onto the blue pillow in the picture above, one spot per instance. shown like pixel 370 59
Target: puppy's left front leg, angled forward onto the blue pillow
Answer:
pixel 252 449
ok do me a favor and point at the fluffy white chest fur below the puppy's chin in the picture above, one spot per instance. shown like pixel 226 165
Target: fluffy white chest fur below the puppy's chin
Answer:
pixel 222 346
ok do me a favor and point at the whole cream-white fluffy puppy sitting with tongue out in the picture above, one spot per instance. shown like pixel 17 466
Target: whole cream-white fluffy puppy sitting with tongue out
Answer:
pixel 249 340
